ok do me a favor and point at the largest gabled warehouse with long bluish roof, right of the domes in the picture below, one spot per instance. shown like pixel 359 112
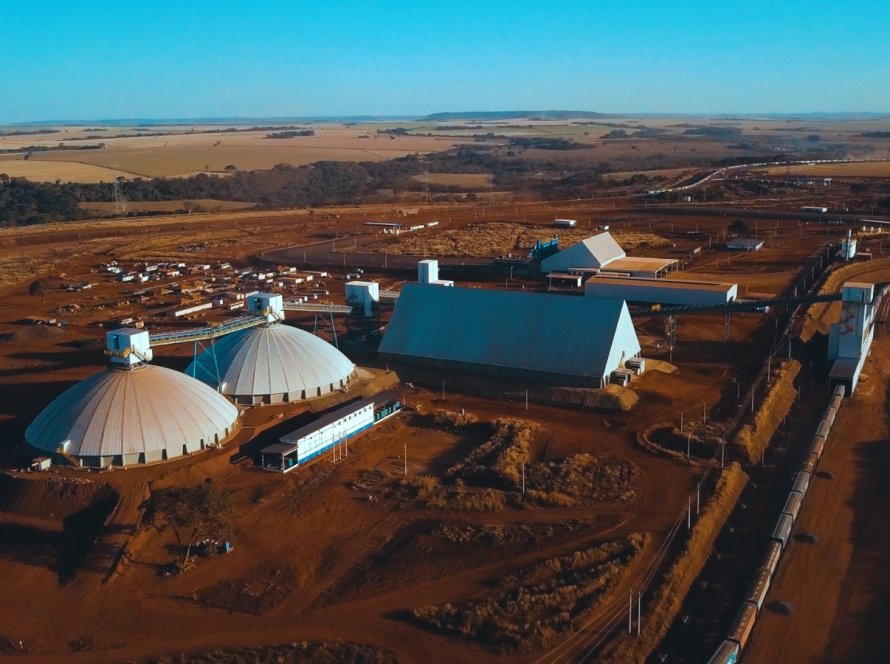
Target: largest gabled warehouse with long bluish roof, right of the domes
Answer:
pixel 532 337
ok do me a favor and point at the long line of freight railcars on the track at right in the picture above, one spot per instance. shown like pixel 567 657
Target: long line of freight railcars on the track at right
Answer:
pixel 731 648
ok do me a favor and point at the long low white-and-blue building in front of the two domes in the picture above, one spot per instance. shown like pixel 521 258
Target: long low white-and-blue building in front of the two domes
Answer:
pixel 328 431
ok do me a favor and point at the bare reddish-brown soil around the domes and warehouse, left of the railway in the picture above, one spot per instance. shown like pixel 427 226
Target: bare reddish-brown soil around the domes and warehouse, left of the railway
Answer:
pixel 335 550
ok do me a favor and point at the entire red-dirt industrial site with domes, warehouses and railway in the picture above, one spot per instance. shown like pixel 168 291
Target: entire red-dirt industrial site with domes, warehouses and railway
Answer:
pixel 502 431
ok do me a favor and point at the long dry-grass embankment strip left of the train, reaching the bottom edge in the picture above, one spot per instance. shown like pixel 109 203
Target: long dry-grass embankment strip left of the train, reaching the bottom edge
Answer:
pixel 665 603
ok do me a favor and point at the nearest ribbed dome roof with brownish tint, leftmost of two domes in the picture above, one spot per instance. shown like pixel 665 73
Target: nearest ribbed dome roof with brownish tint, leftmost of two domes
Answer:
pixel 146 409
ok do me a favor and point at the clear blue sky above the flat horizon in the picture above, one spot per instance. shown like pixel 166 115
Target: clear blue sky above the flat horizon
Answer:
pixel 101 60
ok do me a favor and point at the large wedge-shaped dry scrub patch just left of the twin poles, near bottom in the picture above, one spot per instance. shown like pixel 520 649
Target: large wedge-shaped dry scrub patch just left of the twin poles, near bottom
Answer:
pixel 533 609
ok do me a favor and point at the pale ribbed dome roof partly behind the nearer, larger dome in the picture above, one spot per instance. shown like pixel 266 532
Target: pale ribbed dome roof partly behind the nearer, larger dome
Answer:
pixel 271 360
